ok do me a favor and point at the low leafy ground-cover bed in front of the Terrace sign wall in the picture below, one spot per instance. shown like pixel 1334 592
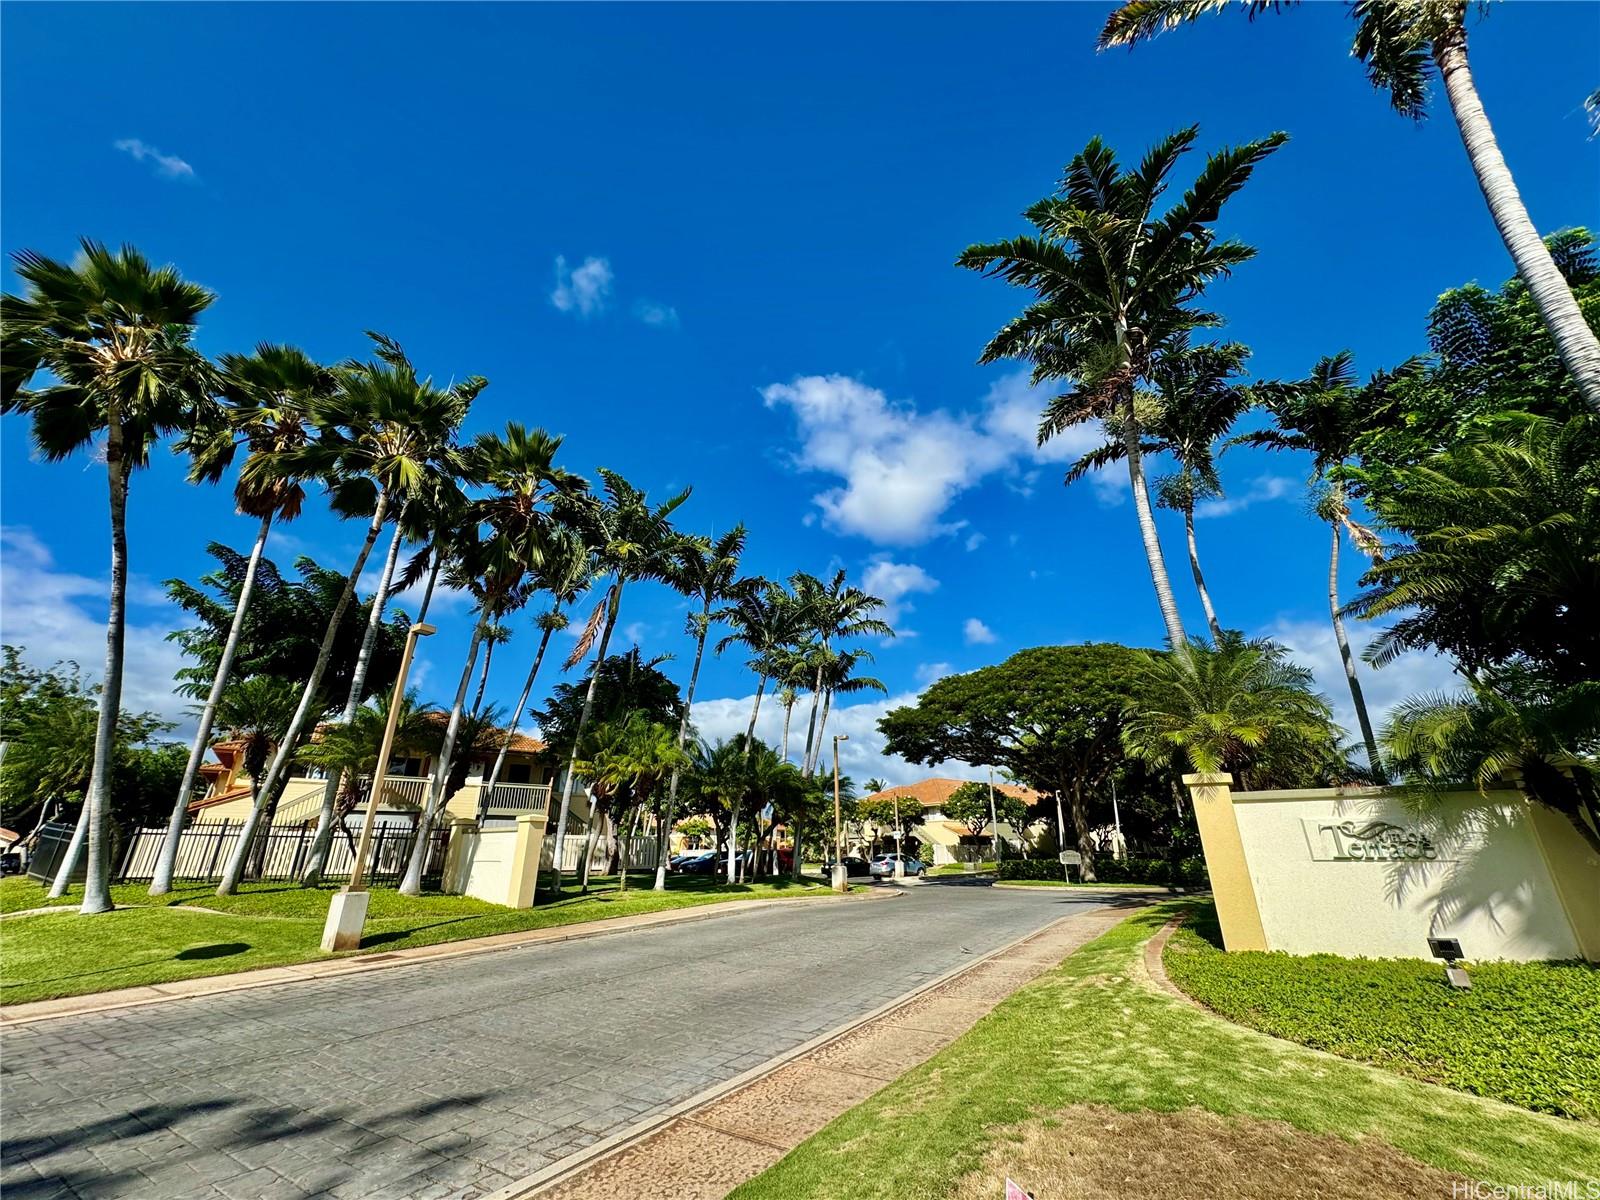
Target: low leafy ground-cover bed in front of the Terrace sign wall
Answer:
pixel 1527 1033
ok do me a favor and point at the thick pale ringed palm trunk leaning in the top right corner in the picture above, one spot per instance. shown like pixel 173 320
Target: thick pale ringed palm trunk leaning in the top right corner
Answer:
pixel 1553 297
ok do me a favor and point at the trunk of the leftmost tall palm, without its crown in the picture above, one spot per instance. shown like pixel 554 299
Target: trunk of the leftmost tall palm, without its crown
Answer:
pixel 97 881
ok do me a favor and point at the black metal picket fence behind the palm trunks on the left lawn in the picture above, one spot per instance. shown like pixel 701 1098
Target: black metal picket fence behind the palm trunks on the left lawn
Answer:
pixel 204 850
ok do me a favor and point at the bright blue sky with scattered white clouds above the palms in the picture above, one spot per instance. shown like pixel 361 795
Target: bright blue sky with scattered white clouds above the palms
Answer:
pixel 713 246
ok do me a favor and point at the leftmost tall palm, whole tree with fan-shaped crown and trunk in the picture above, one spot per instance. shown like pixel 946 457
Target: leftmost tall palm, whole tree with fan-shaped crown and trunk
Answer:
pixel 114 334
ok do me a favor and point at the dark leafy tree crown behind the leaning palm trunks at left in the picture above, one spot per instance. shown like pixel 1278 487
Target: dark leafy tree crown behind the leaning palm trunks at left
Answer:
pixel 282 630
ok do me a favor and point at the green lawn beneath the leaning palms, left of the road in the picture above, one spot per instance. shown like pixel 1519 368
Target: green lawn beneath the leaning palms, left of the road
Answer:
pixel 278 924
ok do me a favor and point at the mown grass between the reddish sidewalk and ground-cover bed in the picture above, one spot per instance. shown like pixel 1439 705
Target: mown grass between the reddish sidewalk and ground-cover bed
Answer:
pixel 1094 1033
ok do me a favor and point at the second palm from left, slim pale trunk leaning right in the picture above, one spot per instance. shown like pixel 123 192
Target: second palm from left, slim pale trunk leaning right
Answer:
pixel 268 414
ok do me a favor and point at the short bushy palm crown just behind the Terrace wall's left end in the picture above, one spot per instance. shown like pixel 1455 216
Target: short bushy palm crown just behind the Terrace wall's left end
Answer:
pixel 1238 706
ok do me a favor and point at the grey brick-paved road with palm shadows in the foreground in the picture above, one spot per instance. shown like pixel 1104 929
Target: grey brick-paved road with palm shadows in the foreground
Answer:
pixel 454 1079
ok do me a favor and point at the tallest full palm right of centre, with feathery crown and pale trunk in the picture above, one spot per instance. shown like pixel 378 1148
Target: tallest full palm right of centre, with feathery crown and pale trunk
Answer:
pixel 1114 282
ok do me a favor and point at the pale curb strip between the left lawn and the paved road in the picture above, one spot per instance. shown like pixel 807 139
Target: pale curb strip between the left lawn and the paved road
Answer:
pixel 327 969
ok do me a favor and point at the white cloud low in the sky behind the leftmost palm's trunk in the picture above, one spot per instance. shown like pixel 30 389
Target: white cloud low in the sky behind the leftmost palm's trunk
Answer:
pixel 60 617
